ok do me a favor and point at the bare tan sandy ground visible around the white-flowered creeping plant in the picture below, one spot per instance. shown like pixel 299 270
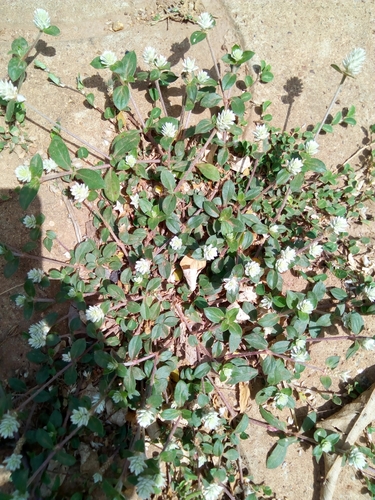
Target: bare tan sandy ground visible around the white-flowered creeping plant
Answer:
pixel 299 39
